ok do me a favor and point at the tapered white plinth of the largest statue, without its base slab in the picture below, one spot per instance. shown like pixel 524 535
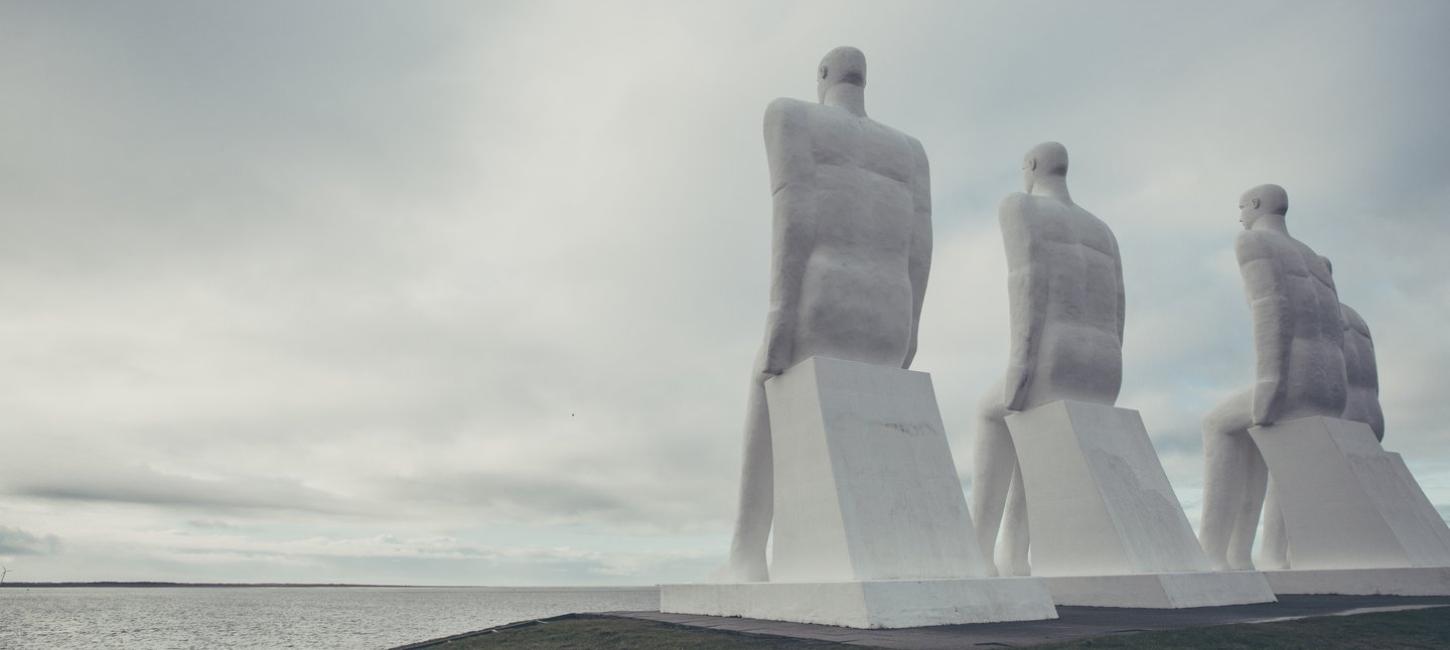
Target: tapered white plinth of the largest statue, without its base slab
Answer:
pixel 865 482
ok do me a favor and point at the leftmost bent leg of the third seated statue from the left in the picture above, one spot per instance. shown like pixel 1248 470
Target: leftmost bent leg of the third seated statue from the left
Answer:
pixel 1225 474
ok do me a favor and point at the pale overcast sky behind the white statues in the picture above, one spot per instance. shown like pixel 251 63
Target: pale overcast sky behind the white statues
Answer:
pixel 471 294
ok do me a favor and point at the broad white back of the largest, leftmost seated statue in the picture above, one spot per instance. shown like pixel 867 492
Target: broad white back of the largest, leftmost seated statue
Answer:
pixel 846 194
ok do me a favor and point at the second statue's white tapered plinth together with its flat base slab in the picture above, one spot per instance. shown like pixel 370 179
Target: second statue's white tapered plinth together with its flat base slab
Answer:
pixel 1107 527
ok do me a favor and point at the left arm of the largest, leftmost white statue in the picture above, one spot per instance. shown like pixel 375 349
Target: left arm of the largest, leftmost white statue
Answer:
pixel 788 153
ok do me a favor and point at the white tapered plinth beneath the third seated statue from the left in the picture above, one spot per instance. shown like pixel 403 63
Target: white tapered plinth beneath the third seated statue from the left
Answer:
pixel 1348 504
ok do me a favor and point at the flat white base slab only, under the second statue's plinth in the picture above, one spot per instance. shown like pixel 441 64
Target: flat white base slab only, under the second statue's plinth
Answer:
pixel 1162 591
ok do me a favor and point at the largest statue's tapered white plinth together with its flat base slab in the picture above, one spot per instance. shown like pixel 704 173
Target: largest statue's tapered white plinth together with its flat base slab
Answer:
pixel 871 526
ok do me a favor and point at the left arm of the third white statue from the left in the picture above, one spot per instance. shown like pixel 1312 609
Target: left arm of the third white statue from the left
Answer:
pixel 1274 327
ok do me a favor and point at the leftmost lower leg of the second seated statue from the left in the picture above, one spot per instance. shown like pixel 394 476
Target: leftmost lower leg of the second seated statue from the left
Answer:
pixel 993 466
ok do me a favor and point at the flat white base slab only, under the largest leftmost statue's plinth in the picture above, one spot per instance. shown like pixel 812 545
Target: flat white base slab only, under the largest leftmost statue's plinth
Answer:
pixel 872 604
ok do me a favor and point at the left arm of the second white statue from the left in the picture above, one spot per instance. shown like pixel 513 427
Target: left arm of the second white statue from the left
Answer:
pixel 1027 298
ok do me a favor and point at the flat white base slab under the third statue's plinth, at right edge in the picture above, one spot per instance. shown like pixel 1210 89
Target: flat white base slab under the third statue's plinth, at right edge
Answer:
pixel 1364 583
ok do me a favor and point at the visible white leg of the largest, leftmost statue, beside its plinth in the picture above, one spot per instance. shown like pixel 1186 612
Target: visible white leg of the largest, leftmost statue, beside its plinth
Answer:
pixel 747 551
